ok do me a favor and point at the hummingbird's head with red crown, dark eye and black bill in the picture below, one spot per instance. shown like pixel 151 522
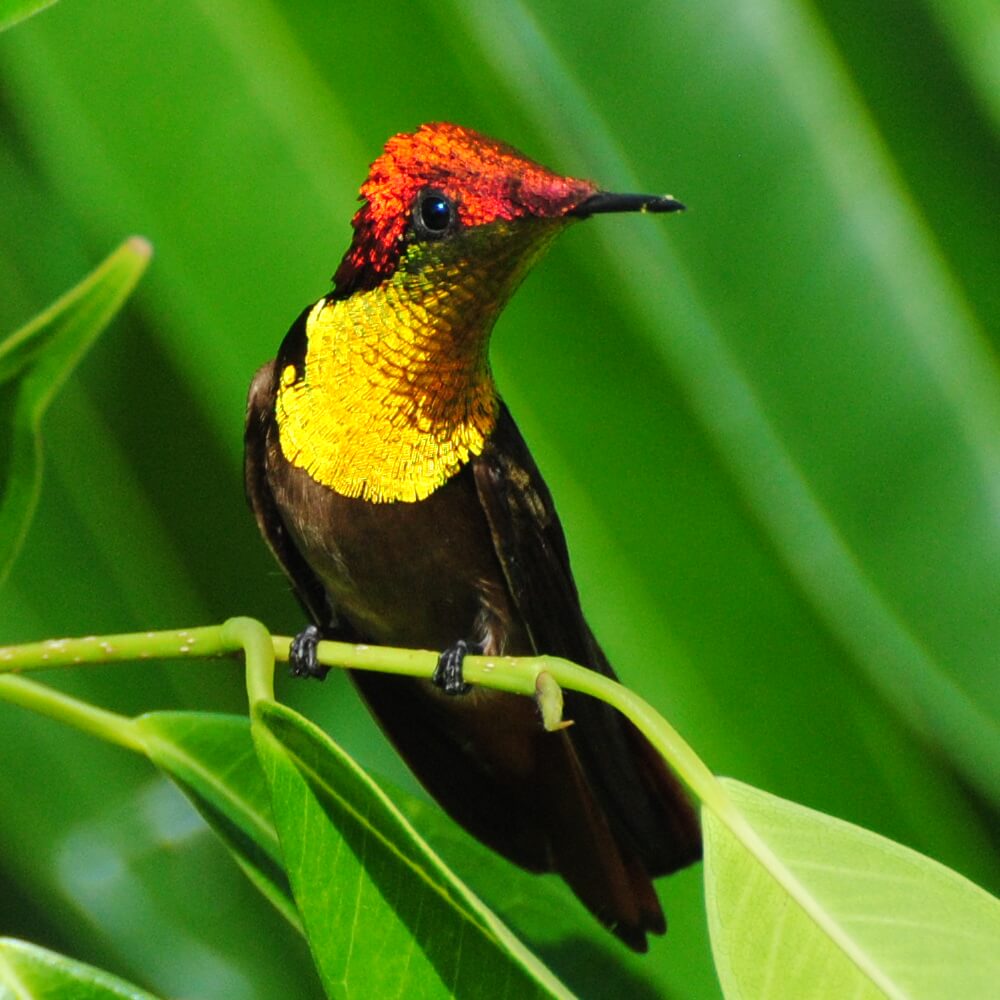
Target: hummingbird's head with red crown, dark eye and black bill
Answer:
pixel 445 195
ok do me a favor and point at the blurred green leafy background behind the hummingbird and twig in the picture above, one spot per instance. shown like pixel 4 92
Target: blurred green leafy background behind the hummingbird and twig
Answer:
pixel 771 425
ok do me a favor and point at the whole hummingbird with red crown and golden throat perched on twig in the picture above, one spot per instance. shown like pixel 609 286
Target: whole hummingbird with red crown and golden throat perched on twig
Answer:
pixel 392 485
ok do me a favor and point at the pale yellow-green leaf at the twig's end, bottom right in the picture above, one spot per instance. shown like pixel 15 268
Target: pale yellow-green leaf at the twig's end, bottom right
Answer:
pixel 838 911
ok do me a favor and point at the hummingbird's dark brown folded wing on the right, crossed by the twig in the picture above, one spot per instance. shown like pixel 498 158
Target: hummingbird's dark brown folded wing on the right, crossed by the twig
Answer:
pixel 647 809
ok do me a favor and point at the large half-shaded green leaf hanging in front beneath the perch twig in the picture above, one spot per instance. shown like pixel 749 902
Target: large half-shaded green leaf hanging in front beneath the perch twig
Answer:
pixel 383 914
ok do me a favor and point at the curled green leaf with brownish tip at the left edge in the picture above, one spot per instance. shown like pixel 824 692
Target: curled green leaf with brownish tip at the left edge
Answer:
pixel 34 362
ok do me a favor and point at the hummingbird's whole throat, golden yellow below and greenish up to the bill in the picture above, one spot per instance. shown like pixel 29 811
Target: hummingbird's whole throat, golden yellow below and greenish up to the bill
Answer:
pixel 395 393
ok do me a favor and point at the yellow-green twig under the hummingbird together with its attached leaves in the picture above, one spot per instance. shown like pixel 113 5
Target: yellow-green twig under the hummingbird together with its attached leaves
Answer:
pixel 799 904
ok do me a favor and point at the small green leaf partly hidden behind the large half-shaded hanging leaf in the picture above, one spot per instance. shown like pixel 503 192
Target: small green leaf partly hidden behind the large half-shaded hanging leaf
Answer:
pixel 212 759
